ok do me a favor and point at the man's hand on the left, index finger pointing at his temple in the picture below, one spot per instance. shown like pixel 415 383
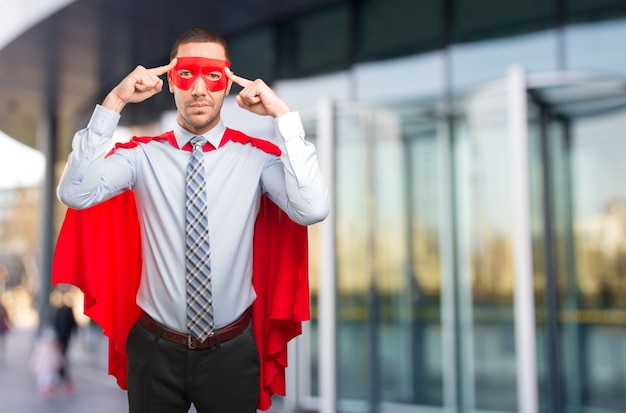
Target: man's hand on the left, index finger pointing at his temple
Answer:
pixel 138 86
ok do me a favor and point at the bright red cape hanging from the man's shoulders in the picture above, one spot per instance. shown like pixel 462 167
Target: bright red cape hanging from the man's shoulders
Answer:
pixel 99 251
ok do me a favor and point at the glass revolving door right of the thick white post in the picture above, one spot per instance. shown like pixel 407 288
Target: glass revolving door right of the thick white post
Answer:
pixel 580 200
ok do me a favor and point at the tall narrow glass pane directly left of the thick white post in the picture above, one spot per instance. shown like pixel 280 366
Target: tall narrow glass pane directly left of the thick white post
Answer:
pixel 485 257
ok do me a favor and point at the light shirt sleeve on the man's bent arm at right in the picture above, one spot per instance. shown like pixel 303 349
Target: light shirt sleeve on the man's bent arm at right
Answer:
pixel 298 185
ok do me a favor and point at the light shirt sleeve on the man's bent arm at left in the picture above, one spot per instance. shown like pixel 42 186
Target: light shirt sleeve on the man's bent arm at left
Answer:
pixel 87 179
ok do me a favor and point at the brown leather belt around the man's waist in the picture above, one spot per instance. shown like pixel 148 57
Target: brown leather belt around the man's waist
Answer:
pixel 219 336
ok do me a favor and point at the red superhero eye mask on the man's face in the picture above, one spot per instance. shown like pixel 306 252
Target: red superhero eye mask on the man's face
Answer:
pixel 188 69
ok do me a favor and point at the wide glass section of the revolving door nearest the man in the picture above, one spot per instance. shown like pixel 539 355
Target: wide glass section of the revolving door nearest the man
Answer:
pixel 389 263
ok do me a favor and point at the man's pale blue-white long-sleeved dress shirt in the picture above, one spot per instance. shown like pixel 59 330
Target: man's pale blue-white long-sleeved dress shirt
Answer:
pixel 237 176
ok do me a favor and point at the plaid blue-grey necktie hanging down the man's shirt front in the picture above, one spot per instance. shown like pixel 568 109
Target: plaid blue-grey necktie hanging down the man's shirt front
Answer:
pixel 198 251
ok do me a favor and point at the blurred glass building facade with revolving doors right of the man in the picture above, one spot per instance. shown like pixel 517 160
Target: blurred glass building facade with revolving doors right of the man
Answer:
pixel 476 261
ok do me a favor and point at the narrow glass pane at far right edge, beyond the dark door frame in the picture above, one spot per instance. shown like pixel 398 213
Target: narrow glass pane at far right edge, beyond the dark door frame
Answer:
pixel 599 205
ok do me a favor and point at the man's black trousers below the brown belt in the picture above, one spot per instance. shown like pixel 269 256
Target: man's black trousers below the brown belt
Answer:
pixel 167 377
